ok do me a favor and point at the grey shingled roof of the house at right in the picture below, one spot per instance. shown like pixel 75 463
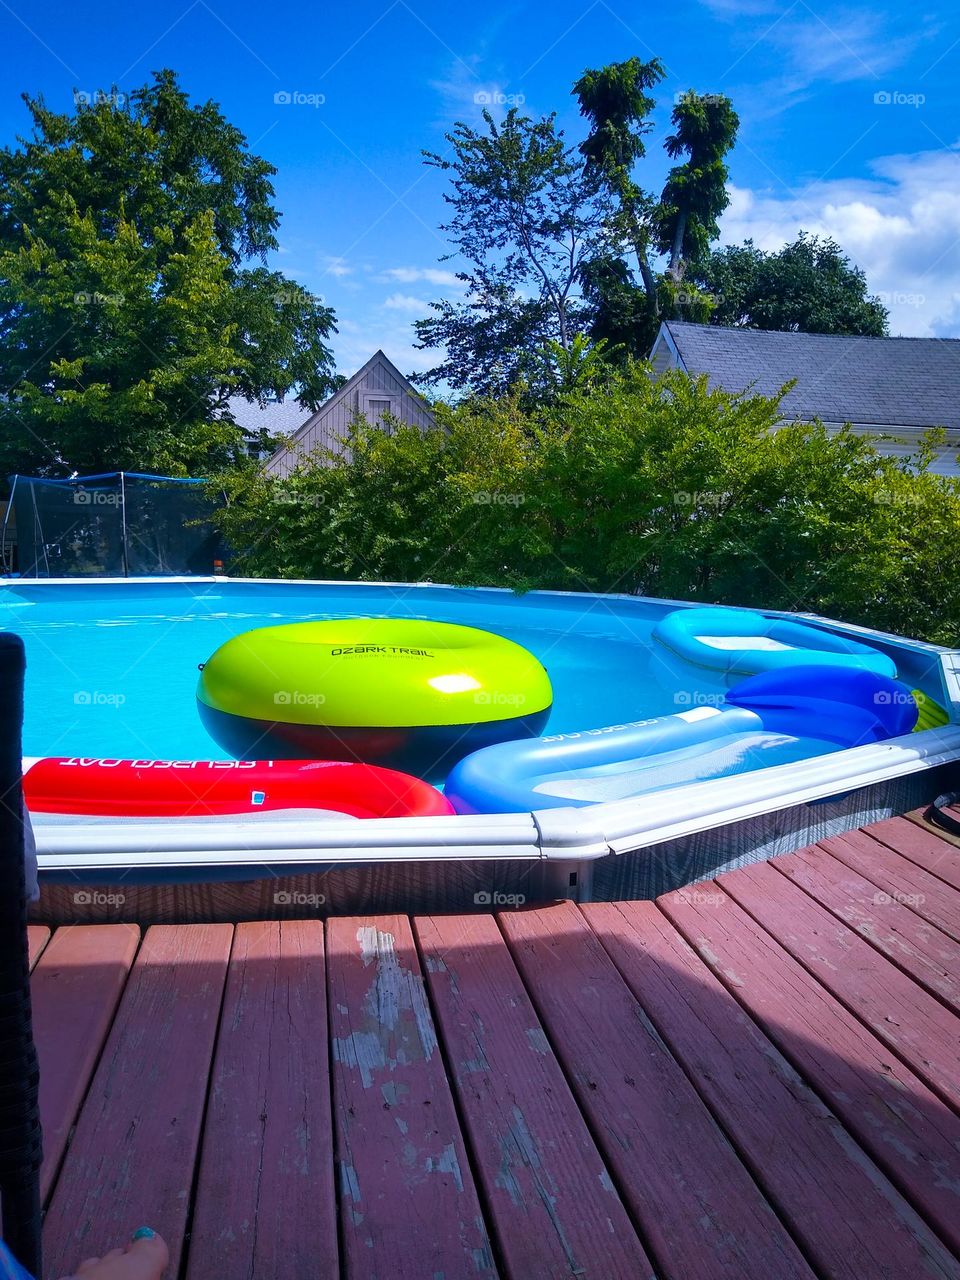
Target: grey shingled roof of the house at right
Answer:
pixel 876 382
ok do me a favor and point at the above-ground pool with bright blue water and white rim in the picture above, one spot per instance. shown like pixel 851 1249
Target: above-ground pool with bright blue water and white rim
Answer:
pixel 112 673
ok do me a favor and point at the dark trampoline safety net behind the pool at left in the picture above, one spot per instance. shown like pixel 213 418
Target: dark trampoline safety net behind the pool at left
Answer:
pixel 116 525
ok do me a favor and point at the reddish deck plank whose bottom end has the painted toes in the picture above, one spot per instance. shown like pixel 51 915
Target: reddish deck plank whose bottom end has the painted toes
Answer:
pixel 131 1162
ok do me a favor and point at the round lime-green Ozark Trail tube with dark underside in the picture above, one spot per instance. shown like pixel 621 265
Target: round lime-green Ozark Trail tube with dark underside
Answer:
pixel 405 693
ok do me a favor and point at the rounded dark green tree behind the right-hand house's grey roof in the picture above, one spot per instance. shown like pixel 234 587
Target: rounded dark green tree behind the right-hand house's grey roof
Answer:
pixel 808 286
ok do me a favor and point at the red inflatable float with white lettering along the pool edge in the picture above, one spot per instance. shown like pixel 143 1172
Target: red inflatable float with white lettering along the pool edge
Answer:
pixel 202 789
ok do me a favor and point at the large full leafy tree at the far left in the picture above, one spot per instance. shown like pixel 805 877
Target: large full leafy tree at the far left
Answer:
pixel 132 304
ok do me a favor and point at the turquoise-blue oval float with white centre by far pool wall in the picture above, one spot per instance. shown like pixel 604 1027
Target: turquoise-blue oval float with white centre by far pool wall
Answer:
pixel 746 643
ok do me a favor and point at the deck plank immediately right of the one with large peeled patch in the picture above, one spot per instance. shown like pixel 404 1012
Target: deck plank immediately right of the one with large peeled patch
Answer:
pixel 552 1205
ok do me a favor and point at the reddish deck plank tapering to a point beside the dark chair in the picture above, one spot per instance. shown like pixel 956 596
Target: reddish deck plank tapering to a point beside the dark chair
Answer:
pixel 75 989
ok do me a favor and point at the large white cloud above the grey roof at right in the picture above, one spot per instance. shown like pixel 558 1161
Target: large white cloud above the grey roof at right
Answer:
pixel 902 226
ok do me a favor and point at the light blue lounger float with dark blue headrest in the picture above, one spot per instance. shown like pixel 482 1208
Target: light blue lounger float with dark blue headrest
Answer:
pixel 771 719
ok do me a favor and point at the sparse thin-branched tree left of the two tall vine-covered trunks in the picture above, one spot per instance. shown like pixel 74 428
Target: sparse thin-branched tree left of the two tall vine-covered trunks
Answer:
pixel 525 218
